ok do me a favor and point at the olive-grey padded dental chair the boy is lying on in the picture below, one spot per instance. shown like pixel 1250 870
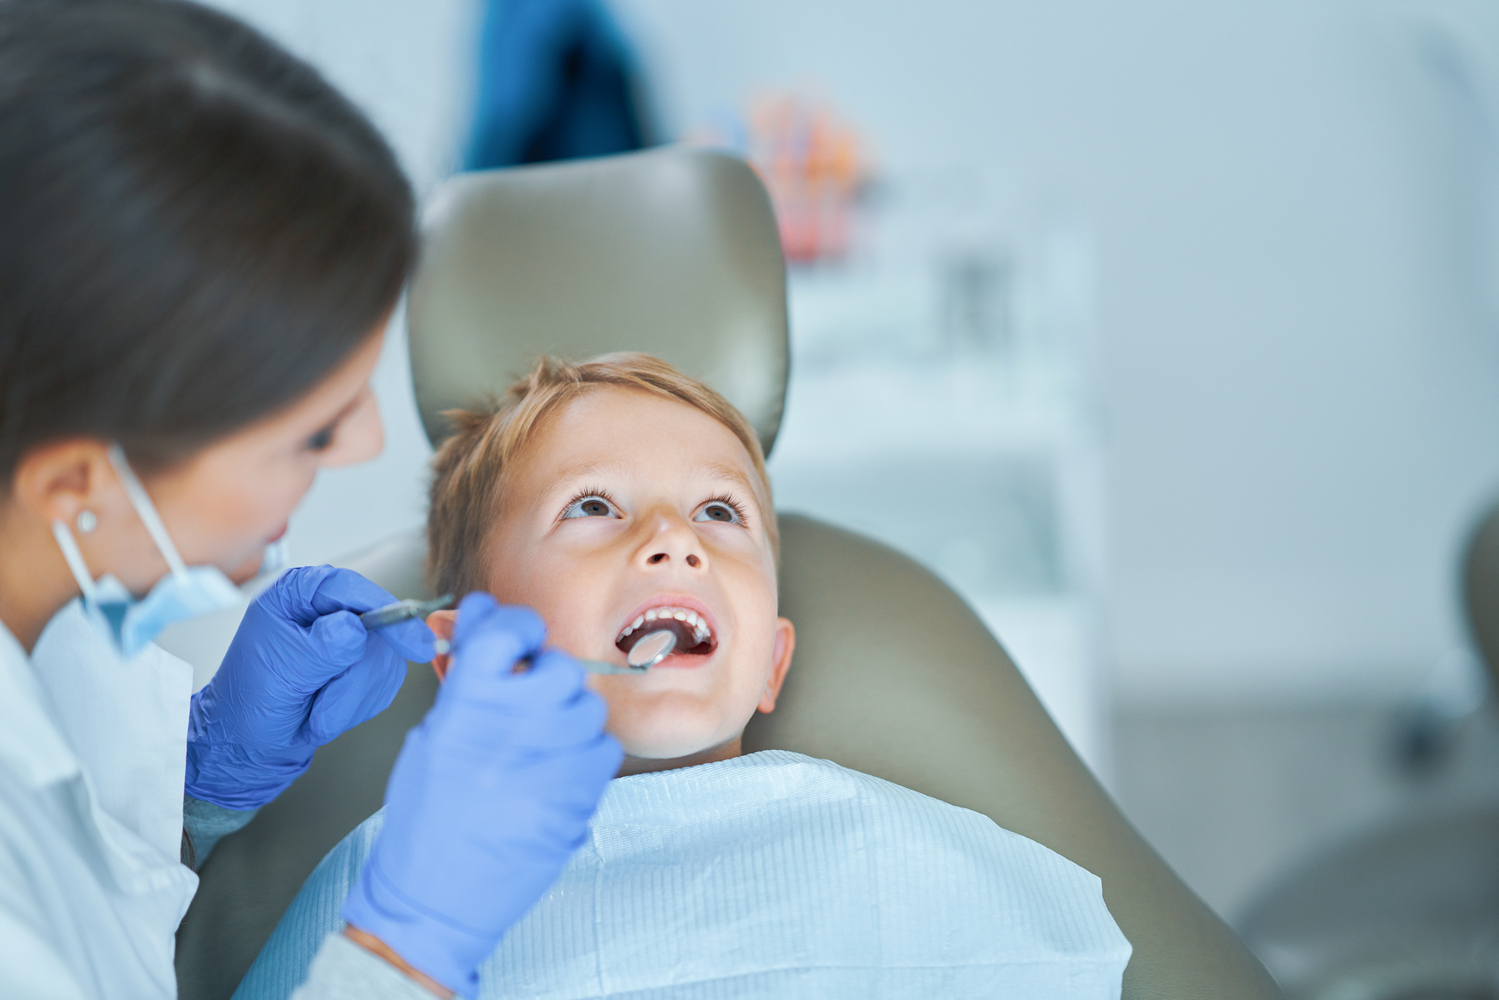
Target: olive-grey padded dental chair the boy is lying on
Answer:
pixel 675 253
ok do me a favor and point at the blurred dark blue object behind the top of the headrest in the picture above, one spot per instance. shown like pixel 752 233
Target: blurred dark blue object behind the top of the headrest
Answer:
pixel 557 82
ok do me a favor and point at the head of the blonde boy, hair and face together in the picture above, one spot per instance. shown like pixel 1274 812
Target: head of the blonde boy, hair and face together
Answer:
pixel 617 499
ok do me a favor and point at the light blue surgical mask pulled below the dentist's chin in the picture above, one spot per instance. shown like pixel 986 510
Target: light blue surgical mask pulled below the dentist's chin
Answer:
pixel 125 620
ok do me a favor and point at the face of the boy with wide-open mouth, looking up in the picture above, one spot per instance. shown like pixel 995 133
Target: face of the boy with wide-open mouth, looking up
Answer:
pixel 627 513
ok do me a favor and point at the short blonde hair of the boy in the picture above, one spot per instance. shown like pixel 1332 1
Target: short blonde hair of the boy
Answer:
pixel 470 466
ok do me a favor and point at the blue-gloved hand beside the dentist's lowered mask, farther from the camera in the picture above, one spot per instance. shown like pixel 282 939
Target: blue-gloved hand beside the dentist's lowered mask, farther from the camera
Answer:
pixel 301 671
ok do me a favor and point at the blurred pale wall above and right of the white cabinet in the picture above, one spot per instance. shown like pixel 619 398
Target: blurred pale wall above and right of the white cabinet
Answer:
pixel 1300 386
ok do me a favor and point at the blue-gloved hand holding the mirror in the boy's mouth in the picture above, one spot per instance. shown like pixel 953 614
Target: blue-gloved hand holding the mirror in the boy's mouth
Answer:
pixel 489 798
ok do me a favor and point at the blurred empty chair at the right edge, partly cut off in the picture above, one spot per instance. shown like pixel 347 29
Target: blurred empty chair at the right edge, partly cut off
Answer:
pixel 1408 911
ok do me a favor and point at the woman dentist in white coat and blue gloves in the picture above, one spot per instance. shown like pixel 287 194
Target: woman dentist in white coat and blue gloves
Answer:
pixel 200 247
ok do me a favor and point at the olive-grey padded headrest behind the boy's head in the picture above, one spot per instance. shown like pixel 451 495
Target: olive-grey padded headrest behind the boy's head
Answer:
pixel 672 251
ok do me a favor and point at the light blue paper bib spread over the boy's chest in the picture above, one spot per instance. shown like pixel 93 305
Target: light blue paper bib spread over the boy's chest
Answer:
pixel 783 861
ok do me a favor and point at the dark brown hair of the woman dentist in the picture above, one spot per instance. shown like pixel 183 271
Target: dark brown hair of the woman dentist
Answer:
pixel 199 229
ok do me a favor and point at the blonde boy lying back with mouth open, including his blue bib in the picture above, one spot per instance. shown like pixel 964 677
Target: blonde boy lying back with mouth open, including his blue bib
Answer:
pixel 620 497
